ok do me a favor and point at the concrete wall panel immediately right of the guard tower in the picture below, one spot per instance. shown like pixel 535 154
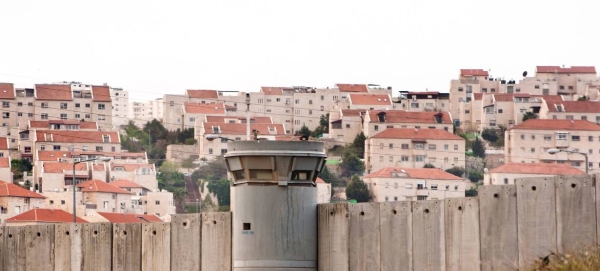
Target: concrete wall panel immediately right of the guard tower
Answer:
pixel 334 226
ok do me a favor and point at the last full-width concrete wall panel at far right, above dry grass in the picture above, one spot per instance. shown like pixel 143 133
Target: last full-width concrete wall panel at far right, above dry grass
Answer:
pixel 575 204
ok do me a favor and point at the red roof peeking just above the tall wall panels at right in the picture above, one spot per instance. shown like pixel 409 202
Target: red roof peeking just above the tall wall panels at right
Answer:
pixel 537 168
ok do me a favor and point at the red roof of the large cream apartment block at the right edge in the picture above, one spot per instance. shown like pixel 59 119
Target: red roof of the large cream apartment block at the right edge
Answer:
pixel 552 124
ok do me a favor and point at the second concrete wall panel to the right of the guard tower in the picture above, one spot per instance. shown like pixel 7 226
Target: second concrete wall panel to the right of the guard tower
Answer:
pixel 363 249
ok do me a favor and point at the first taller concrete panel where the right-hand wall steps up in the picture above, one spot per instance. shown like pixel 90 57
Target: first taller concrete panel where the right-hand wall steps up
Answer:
pixel 498 227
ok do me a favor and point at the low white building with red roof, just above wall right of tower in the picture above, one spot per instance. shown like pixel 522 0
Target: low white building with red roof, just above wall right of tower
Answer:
pixel 410 184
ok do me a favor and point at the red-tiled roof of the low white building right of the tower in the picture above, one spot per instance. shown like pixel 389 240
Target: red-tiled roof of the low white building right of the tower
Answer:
pixel 415 173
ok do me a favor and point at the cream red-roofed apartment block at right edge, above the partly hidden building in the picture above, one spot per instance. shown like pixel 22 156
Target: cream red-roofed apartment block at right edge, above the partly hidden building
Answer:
pixel 530 141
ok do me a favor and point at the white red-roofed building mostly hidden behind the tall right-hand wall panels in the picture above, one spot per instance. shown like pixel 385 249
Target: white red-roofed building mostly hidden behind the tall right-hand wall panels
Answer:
pixel 508 173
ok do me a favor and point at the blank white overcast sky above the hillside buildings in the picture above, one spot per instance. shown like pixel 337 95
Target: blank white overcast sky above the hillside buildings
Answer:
pixel 156 47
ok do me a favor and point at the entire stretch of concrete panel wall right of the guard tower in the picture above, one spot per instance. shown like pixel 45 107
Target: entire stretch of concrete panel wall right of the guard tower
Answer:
pixel 506 228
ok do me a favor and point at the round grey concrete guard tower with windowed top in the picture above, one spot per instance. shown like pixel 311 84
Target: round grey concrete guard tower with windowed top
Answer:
pixel 274 204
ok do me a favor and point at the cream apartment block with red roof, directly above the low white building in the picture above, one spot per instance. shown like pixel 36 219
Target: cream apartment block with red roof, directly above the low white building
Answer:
pixel 413 148
